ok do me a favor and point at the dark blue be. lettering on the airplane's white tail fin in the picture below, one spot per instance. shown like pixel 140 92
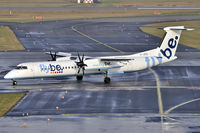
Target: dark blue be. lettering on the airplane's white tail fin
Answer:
pixel 172 44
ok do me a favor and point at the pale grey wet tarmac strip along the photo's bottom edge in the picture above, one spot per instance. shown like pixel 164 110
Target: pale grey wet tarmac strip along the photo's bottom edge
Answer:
pixel 100 123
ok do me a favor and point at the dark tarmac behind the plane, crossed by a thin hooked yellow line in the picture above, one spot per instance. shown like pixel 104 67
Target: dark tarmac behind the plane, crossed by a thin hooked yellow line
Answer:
pixel 120 33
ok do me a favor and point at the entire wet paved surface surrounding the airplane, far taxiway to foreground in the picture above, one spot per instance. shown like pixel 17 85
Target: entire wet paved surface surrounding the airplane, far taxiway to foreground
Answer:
pixel 164 98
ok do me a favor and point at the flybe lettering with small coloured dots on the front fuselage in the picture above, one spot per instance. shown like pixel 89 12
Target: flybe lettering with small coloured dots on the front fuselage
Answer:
pixel 53 69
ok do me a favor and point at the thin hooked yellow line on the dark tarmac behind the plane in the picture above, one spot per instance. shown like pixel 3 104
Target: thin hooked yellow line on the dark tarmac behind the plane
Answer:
pixel 89 37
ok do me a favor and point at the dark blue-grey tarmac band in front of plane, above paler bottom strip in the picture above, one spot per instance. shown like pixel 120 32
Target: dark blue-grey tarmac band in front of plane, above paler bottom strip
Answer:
pixel 106 100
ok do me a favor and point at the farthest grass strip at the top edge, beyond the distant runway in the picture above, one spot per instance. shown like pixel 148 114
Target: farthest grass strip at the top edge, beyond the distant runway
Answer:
pixel 102 3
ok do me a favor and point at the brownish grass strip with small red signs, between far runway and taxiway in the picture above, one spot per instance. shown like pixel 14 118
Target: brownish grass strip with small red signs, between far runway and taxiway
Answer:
pixel 29 15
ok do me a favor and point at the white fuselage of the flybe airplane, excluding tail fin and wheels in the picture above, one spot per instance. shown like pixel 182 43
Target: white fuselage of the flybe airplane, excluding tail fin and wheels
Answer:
pixel 51 69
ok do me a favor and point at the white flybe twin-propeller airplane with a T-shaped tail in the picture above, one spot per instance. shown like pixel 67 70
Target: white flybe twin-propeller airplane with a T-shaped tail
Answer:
pixel 64 64
